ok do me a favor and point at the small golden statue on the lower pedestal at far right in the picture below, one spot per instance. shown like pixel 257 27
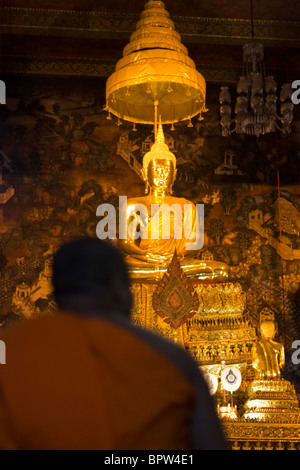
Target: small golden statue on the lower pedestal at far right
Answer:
pixel 268 355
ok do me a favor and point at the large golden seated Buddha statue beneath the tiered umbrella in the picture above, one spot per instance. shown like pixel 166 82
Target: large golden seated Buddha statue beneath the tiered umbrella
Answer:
pixel 159 223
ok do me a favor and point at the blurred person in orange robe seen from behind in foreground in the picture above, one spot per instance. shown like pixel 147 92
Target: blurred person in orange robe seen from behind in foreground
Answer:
pixel 88 378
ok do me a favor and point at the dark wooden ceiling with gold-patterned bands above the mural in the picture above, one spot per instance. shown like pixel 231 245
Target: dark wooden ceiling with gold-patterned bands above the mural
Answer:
pixel 76 38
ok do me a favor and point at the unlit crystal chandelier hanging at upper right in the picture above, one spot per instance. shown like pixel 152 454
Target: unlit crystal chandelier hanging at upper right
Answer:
pixel 256 103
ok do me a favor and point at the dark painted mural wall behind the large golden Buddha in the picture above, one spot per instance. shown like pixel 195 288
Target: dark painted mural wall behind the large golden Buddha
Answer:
pixel 60 157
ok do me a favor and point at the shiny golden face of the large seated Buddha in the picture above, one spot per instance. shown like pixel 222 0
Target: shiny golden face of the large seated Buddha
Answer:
pixel 160 174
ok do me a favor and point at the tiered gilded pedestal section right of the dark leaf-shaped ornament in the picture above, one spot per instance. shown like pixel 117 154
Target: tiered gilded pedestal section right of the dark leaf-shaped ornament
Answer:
pixel 220 333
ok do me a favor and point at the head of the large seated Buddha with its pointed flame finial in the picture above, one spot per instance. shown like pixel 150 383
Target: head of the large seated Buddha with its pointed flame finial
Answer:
pixel 159 167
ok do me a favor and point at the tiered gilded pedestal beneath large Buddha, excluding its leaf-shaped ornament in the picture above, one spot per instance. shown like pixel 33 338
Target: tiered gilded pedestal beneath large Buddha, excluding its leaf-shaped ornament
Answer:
pixel 219 332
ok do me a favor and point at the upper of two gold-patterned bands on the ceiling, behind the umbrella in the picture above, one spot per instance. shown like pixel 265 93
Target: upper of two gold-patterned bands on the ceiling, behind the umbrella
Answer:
pixel 115 25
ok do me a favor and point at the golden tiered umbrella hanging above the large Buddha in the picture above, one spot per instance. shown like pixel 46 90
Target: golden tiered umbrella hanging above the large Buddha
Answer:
pixel 155 75
